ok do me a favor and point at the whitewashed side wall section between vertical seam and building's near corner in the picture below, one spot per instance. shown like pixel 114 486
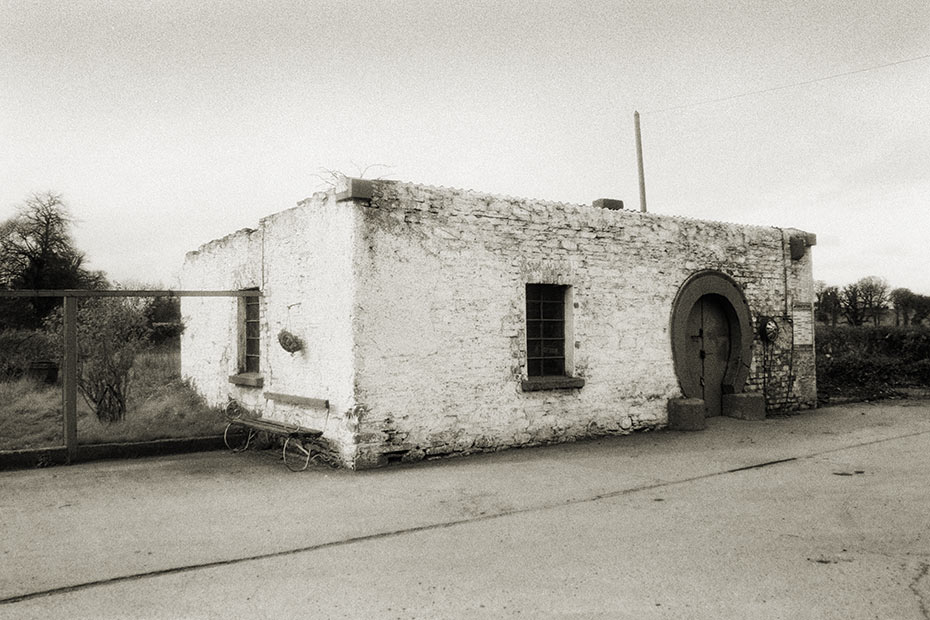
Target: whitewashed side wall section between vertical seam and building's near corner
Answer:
pixel 309 292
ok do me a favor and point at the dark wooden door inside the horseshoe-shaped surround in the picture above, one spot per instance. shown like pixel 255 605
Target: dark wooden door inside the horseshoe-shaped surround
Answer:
pixel 709 349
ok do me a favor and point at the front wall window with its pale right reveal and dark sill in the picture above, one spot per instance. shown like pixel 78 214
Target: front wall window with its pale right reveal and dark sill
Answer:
pixel 548 327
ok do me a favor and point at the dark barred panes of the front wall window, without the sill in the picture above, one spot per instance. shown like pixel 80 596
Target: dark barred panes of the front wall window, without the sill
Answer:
pixel 545 330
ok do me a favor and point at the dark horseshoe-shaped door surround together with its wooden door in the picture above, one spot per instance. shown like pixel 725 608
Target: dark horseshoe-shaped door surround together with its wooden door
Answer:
pixel 711 338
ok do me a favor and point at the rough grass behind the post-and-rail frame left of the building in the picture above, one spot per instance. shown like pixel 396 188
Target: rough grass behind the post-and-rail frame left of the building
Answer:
pixel 161 405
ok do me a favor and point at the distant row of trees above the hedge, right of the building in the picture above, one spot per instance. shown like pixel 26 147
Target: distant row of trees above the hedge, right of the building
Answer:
pixel 870 301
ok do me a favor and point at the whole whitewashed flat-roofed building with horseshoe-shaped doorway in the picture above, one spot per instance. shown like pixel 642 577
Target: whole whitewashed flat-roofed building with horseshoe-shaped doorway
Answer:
pixel 437 321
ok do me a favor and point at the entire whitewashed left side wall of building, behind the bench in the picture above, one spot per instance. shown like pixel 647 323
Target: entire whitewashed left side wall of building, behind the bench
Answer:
pixel 301 259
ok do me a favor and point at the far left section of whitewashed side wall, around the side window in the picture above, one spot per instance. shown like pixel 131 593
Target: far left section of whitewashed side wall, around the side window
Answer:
pixel 209 341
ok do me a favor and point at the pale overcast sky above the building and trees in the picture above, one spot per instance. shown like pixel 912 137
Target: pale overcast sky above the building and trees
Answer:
pixel 166 124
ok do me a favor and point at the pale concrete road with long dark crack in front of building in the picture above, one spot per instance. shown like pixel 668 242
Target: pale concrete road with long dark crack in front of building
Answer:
pixel 821 515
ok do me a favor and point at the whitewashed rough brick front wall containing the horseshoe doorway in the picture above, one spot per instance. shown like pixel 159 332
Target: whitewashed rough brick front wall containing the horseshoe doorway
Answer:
pixel 440 337
